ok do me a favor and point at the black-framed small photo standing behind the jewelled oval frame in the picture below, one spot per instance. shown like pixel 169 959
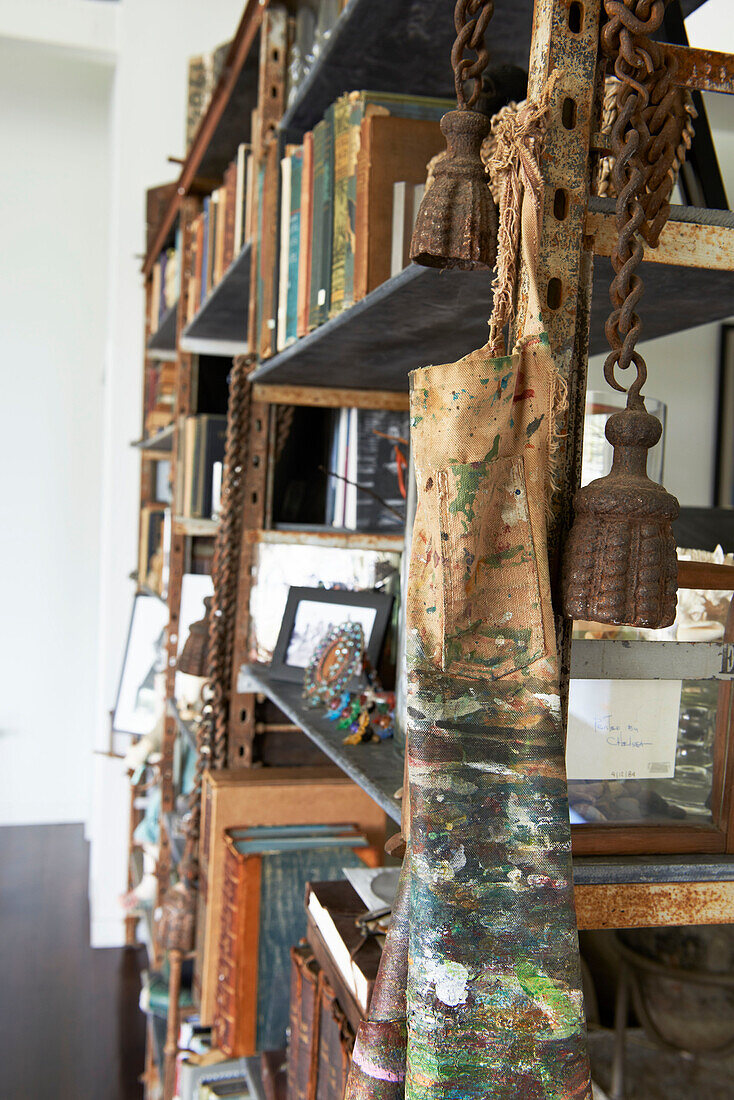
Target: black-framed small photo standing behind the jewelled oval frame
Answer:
pixel 312 613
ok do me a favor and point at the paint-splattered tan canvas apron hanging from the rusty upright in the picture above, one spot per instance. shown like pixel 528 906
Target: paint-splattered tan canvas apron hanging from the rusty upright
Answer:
pixel 495 1005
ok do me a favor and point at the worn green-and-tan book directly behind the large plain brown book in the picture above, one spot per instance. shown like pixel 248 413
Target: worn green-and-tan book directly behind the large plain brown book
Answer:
pixel 348 114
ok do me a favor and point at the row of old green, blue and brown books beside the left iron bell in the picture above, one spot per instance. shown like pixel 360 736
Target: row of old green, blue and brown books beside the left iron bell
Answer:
pixel 337 207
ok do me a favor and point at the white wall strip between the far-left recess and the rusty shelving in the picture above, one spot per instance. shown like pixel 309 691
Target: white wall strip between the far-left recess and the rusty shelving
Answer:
pixel 156 38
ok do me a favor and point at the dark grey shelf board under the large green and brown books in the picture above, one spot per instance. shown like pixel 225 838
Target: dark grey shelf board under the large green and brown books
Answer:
pixel 425 316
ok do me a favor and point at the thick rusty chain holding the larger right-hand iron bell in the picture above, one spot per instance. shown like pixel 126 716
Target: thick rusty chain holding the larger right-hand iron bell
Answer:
pixel 627 40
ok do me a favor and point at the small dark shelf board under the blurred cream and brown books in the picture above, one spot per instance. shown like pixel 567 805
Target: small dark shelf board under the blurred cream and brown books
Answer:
pixel 220 328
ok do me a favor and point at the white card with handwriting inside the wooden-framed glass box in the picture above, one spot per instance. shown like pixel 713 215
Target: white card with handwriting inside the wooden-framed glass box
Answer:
pixel 622 729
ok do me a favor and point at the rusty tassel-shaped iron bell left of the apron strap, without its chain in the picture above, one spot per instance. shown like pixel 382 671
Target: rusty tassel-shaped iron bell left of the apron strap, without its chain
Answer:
pixel 457 224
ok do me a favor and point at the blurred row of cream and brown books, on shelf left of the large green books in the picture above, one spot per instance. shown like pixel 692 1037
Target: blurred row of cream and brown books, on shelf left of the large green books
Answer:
pixel 221 232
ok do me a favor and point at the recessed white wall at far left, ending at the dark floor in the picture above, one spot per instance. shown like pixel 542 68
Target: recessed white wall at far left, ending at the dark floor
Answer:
pixel 54 134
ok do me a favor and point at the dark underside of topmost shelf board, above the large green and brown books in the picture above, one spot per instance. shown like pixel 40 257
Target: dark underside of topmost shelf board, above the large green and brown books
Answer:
pixel 406 48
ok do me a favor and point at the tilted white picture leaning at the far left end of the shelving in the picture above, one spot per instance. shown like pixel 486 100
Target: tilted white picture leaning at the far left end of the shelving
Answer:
pixel 138 707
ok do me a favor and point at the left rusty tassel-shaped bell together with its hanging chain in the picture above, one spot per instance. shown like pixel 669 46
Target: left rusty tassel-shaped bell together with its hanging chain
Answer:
pixel 457 224
